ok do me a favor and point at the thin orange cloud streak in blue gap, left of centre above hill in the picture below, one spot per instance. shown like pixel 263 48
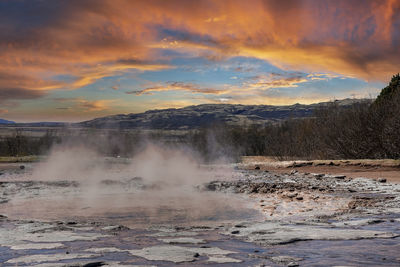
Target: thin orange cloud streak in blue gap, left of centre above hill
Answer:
pixel 178 86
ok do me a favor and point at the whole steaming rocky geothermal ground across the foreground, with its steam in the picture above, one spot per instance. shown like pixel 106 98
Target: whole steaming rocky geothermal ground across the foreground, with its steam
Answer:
pixel 163 208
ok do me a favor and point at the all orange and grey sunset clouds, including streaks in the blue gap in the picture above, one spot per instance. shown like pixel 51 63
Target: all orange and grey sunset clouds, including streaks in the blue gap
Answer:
pixel 91 40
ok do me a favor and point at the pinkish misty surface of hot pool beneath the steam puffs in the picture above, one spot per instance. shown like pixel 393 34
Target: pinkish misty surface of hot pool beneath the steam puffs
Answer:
pixel 134 209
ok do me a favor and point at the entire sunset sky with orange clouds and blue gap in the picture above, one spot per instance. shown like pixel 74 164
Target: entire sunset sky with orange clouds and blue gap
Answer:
pixel 75 60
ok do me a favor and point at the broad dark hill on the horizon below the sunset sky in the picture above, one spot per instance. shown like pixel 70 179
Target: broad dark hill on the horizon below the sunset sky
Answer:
pixel 193 117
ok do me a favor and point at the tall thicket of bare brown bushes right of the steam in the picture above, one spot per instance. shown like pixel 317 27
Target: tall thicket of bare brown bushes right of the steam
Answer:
pixel 362 130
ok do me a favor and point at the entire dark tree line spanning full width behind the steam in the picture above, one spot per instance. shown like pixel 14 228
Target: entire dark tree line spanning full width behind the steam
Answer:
pixel 369 129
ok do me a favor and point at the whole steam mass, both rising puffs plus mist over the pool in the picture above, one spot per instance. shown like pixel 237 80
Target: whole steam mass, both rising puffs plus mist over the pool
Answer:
pixel 158 185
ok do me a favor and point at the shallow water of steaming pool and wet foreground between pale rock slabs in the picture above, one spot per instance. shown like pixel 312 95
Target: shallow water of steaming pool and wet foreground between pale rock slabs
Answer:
pixel 151 211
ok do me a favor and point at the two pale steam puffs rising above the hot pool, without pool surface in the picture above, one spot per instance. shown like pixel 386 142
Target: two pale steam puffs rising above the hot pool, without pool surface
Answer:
pixel 155 164
